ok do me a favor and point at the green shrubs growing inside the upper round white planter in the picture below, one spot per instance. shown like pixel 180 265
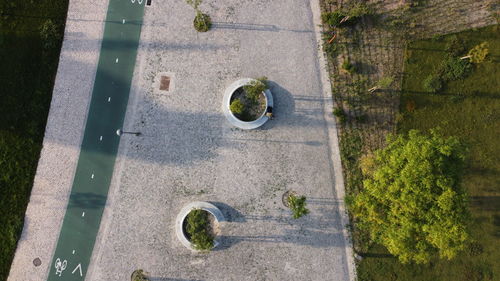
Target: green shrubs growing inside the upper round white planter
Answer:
pixel 248 103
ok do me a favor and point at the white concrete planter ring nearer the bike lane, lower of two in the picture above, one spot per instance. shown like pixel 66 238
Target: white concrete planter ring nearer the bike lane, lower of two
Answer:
pixel 205 206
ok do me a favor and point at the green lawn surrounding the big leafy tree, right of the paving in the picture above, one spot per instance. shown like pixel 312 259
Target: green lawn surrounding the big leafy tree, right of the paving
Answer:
pixel 469 109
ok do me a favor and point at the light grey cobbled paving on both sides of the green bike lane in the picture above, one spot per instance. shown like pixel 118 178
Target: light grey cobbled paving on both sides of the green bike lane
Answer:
pixel 189 152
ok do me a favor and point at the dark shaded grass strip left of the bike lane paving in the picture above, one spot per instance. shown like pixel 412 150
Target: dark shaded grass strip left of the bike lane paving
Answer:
pixel 27 71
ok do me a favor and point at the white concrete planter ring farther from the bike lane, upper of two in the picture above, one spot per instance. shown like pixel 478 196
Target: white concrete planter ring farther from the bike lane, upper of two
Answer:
pixel 230 116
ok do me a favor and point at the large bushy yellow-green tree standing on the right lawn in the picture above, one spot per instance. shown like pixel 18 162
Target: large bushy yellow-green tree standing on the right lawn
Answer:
pixel 413 203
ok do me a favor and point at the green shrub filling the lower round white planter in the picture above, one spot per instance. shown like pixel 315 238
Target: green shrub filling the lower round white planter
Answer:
pixel 199 230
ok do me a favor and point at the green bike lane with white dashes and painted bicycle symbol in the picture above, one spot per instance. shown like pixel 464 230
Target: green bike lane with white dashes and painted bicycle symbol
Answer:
pixel 100 142
